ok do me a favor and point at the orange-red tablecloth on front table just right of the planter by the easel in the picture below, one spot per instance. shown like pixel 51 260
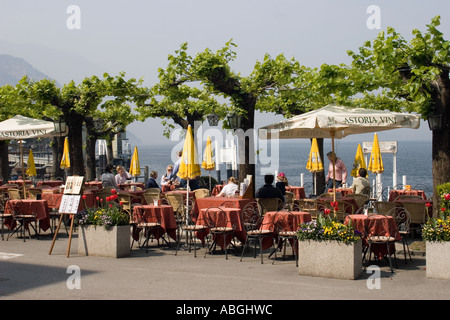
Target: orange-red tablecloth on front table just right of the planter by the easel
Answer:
pixel 166 215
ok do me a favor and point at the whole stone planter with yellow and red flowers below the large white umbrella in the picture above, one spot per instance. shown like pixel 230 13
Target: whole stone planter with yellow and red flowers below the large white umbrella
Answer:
pixel 328 248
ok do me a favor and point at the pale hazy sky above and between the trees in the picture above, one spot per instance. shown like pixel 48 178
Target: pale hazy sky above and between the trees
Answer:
pixel 70 40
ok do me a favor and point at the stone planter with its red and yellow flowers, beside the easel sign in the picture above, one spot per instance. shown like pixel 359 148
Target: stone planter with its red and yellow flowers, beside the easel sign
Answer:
pixel 104 230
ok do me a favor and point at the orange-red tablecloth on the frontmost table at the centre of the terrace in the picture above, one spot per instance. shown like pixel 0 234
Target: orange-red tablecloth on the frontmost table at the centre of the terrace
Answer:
pixel 233 217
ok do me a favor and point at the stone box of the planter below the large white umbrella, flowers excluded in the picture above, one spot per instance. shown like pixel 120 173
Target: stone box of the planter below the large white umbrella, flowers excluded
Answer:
pixel 330 259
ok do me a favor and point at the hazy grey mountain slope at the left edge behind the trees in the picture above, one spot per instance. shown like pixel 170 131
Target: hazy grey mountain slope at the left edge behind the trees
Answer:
pixel 12 69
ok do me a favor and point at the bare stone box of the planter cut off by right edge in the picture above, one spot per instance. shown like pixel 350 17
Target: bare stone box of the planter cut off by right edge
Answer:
pixel 438 260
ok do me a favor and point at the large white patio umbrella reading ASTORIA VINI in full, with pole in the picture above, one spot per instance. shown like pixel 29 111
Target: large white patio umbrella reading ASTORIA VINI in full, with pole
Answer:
pixel 336 122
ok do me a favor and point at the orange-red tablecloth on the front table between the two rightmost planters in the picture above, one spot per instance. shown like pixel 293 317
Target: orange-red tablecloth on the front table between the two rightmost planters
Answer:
pixel 360 223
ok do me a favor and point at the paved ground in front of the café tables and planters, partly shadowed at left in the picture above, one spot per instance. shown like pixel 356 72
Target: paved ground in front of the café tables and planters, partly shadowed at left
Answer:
pixel 27 271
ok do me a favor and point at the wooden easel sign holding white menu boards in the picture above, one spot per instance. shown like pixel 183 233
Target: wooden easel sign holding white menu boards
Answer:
pixel 70 203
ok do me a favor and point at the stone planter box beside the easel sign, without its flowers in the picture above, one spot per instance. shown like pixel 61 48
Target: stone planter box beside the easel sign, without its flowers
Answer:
pixel 97 241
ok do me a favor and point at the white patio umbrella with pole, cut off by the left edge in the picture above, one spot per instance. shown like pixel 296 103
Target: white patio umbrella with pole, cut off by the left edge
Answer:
pixel 20 128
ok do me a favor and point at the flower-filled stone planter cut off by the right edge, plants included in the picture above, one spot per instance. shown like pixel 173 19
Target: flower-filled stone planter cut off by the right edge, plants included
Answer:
pixel 436 234
